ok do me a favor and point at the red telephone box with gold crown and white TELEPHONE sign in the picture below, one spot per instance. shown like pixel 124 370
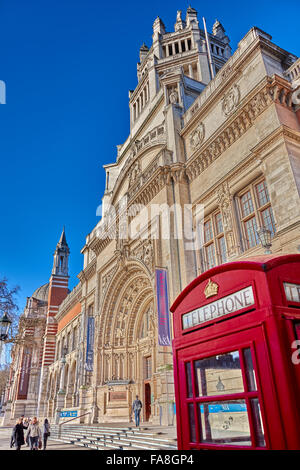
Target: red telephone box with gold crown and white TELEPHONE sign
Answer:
pixel 236 363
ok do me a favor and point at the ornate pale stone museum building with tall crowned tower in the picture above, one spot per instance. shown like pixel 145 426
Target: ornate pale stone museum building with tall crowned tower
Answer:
pixel 210 128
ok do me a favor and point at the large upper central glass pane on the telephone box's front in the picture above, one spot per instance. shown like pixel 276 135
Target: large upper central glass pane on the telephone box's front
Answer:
pixel 219 375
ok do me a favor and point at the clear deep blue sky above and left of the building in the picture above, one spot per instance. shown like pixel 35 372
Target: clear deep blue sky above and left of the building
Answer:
pixel 68 66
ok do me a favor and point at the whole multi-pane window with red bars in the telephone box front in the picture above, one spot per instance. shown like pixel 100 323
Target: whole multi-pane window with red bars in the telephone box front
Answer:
pixel 221 409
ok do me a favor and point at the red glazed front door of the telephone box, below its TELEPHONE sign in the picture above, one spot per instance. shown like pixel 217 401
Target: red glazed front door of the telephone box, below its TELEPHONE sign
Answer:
pixel 223 403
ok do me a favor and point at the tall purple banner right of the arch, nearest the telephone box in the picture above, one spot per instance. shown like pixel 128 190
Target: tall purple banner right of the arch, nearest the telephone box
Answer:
pixel 162 299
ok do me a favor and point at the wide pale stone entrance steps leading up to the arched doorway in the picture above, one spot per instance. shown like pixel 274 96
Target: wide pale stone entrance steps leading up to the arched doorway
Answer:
pixel 110 437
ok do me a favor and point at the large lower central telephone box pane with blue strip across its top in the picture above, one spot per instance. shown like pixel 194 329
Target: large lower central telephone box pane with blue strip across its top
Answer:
pixel 225 423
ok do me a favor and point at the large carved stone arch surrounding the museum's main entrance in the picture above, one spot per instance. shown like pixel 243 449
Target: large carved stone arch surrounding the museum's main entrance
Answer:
pixel 126 343
